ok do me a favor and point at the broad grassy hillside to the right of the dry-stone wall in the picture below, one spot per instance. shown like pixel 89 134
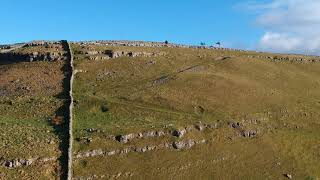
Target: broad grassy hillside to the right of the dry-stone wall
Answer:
pixel 260 113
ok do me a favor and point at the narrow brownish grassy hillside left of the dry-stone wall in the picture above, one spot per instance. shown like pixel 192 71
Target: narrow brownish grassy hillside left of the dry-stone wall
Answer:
pixel 31 98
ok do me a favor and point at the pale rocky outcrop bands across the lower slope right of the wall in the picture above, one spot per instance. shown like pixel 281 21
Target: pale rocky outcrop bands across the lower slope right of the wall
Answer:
pixel 245 129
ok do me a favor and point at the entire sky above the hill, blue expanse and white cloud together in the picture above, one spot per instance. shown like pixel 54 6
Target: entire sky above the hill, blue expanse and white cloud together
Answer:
pixel 289 26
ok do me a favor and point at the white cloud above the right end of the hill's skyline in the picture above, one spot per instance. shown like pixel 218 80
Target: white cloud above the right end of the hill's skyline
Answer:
pixel 291 25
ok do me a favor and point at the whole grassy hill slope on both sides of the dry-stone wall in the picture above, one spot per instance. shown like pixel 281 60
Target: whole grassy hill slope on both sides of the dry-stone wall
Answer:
pixel 158 111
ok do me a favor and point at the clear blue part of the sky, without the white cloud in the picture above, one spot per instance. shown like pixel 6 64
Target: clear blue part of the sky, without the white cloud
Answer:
pixel 182 21
